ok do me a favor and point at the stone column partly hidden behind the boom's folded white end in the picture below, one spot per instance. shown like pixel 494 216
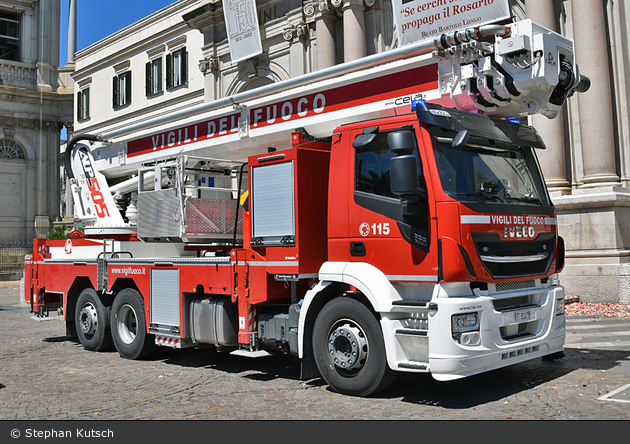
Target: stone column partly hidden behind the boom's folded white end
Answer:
pixel 552 160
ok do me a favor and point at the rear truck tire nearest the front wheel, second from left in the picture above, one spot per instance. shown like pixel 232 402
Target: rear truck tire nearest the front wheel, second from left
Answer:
pixel 128 324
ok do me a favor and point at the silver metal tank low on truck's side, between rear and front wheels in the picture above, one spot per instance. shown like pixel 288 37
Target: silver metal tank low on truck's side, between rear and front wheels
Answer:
pixel 214 321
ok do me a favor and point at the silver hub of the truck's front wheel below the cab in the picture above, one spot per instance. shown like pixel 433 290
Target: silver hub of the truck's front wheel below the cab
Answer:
pixel 347 346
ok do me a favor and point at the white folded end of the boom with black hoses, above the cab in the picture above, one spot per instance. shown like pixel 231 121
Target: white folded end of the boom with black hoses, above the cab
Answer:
pixel 528 70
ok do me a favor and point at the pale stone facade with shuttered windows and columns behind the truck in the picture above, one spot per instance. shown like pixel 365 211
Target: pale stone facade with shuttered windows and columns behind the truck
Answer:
pixel 586 165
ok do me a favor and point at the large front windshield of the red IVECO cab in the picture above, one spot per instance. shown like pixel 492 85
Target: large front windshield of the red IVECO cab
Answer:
pixel 484 173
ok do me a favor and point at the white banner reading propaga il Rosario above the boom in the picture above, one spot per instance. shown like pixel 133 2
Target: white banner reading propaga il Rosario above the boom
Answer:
pixel 417 20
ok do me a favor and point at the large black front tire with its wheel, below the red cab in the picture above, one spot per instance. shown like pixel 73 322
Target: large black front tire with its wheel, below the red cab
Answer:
pixel 349 349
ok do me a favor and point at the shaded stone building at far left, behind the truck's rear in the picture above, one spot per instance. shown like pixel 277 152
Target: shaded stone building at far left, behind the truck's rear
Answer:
pixel 35 103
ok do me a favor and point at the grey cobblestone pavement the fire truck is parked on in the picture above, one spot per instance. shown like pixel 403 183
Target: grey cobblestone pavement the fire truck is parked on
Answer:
pixel 45 377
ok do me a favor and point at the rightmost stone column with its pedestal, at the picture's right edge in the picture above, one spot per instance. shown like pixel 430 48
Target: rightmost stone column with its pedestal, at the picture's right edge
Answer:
pixel 592 220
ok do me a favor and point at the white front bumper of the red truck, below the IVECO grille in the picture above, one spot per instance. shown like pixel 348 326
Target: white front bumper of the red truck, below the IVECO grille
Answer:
pixel 505 339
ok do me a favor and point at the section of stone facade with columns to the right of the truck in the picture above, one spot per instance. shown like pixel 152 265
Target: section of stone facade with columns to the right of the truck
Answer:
pixel 587 163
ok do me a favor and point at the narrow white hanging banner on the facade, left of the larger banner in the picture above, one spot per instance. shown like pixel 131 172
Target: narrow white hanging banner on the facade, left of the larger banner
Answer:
pixel 241 21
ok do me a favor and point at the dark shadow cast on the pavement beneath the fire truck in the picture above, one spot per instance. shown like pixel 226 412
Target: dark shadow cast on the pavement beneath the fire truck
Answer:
pixel 419 389
